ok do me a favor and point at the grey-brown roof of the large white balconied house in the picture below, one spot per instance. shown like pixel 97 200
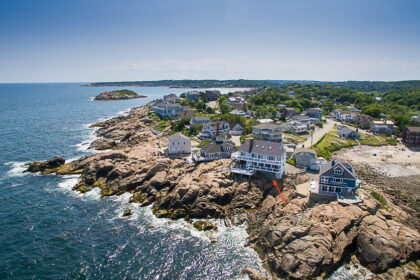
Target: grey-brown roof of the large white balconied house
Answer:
pixel 260 147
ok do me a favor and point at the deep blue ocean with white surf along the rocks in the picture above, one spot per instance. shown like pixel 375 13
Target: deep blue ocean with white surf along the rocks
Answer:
pixel 49 231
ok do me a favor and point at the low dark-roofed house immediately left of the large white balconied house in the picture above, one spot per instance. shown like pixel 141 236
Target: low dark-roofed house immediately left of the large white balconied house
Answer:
pixel 215 150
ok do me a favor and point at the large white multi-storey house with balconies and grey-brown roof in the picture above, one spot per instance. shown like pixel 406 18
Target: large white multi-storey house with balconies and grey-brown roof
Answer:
pixel 258 155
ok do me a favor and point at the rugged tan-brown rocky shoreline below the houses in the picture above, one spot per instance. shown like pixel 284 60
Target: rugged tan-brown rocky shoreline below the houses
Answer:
pixel 298 240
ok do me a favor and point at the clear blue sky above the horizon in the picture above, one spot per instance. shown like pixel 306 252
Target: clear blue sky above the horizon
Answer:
pixel 135 40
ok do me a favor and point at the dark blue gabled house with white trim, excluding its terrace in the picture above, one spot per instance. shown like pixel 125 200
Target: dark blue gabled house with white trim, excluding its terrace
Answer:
pixel 337 179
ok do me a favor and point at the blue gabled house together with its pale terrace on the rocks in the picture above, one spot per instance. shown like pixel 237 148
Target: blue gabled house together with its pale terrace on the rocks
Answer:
pixel 338 181
